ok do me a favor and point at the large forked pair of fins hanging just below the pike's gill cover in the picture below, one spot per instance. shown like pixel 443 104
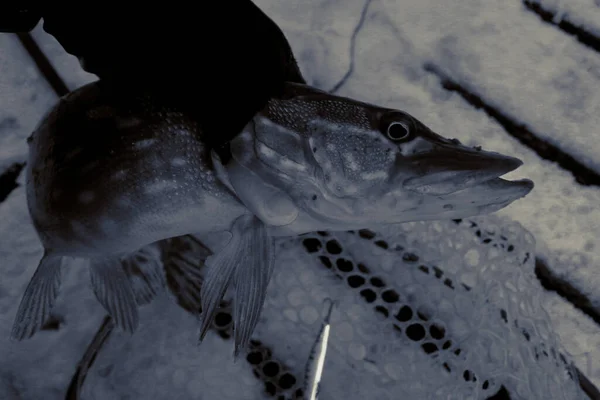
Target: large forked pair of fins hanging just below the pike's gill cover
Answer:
pixel 247 260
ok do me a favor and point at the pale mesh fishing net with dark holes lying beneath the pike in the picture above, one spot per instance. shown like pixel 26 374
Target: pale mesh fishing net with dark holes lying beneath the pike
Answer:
pixel 437 310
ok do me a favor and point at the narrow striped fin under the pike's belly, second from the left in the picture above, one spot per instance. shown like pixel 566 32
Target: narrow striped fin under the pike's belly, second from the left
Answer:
pixel 114 291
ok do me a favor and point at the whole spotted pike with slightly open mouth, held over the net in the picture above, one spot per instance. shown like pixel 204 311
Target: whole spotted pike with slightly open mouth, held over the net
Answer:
pixel 108 175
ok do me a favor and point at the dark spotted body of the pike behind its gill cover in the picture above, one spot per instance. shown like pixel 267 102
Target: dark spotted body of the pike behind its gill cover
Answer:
pixel 107 175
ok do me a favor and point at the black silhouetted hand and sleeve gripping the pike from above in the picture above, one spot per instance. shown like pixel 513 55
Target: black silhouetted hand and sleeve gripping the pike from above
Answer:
pixel 218 61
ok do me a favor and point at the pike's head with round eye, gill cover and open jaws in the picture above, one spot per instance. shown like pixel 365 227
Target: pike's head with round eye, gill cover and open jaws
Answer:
pixel 313 161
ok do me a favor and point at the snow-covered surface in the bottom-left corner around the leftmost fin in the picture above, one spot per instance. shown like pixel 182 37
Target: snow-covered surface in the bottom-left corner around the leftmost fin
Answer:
pixel 42 367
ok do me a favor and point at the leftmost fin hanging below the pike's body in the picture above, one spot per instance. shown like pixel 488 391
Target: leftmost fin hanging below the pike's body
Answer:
pixel 39 297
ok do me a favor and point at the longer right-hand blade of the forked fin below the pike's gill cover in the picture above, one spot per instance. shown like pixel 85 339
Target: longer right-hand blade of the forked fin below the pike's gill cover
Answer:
pixel 251 282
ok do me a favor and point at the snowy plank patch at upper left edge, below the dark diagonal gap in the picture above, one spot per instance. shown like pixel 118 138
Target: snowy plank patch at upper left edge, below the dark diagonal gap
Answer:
pixel 24 98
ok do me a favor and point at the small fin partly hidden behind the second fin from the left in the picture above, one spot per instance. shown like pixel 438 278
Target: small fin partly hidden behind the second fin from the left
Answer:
pixel 144 269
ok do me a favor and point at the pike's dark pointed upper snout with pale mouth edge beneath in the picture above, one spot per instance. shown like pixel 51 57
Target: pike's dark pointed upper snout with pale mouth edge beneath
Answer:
pixel 450 167
